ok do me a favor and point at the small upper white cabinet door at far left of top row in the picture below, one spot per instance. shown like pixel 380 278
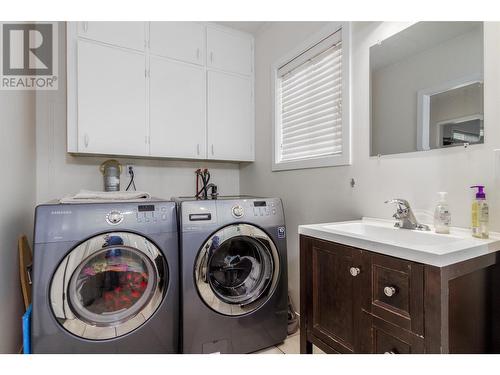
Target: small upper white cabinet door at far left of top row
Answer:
pixel 122 34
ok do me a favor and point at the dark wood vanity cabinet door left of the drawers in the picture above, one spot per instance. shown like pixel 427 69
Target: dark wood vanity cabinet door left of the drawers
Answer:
pixel 334 303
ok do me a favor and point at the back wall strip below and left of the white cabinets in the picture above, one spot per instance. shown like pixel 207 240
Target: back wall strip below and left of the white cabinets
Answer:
pixel 60 174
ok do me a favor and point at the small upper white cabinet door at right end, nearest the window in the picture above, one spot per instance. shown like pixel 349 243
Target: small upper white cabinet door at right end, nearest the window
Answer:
pixel 229 52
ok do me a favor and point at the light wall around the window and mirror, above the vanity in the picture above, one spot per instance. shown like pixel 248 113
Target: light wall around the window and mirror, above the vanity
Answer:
pixel 324 194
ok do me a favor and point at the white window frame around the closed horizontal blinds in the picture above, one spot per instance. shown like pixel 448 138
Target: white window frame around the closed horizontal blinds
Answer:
pixel 324 161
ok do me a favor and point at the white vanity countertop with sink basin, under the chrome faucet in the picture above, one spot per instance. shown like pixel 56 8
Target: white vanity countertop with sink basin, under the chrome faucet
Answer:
pixel 428 247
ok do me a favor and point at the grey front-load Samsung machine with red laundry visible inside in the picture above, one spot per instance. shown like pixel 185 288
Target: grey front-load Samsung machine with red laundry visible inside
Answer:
pixel 105 278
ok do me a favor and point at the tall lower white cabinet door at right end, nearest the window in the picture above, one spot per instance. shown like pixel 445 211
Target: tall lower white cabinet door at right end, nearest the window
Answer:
pixel 230 117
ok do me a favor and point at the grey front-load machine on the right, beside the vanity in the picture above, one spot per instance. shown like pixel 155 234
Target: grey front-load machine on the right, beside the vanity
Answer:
pixel 234 277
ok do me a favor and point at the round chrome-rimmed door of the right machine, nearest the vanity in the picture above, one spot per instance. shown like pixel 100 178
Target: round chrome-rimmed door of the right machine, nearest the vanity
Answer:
pixel 237 269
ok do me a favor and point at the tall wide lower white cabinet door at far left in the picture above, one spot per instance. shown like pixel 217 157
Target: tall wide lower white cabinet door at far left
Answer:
pixel 111 100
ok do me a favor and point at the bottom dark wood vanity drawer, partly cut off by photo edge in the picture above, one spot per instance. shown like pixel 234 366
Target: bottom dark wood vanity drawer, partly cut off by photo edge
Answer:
pixel 386 338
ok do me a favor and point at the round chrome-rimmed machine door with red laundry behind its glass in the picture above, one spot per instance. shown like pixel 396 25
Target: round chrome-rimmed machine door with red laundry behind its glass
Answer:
pixel 109 285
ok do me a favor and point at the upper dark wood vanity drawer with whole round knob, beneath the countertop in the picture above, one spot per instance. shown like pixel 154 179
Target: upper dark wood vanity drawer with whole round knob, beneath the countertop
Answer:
pixel 397 291
